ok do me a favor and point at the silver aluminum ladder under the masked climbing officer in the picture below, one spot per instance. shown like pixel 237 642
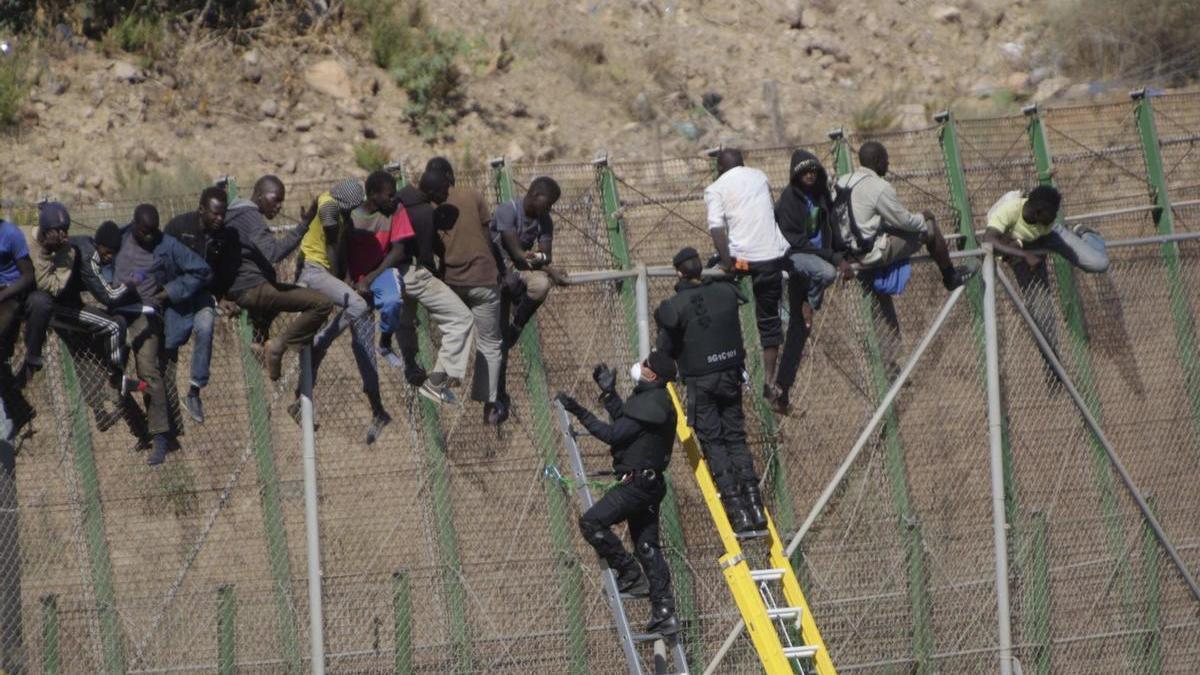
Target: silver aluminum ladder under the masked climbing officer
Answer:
pixel 629 638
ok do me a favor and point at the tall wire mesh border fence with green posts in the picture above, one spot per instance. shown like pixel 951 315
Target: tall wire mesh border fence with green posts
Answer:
pixel 452 547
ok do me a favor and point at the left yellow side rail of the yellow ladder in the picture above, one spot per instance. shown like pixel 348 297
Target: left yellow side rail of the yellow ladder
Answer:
pixel 734 565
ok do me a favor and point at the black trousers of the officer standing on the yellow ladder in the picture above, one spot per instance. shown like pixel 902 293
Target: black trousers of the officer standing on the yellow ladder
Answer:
pixel 715 411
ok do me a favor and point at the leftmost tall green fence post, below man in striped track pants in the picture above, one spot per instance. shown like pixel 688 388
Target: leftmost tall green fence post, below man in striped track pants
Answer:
pixel 94 521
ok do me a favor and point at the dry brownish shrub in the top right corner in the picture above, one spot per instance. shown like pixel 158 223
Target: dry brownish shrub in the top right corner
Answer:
pixel 1135 40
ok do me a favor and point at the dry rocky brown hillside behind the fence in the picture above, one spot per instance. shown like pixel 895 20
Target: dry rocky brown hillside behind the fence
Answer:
pixel 542 80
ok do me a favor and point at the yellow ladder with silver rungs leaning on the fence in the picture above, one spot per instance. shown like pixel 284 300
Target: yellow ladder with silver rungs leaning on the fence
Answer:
pixel 767 620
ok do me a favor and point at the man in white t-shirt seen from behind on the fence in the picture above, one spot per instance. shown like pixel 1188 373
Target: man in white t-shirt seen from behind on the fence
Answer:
pixel 742 223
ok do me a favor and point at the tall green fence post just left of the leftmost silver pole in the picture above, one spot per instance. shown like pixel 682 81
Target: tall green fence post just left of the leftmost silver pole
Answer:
pixel 271 500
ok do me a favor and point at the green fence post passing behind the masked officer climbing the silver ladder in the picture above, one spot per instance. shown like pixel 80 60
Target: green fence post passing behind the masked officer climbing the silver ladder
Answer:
pixel 673 522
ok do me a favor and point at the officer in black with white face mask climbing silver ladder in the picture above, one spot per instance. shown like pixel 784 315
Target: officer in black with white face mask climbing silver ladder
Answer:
pixel 641 437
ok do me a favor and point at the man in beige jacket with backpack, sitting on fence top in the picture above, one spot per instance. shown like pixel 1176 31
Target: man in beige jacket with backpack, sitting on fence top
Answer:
pixel 879 231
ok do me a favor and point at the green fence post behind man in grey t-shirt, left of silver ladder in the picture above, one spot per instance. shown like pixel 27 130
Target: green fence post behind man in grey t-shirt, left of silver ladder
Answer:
pixel 571 577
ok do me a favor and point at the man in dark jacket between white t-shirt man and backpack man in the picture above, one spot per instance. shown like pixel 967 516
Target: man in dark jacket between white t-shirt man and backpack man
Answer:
pixel 803 213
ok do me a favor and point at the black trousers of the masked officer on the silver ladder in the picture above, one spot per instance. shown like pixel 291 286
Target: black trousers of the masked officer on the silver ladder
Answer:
pixel 637 501
